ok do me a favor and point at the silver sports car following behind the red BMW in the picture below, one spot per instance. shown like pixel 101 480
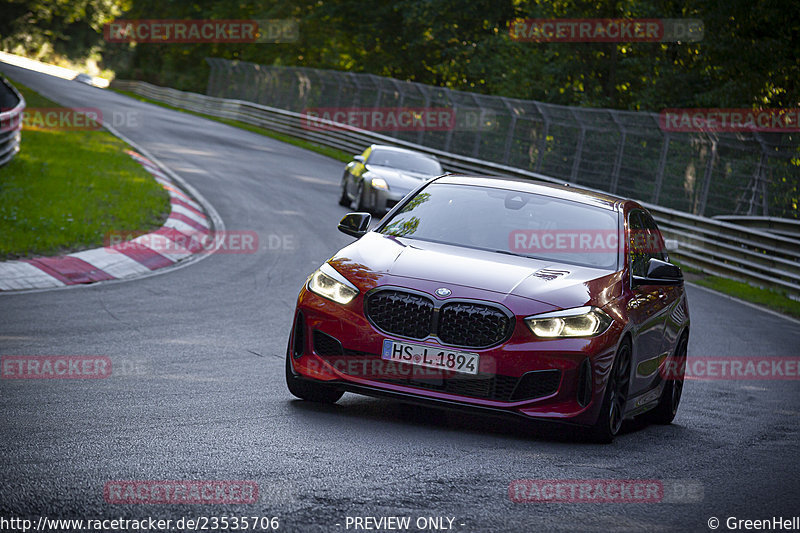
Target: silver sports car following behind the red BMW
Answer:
pixel 382 175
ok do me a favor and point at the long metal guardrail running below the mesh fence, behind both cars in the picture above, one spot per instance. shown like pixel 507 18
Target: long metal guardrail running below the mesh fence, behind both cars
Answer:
pixel 717 247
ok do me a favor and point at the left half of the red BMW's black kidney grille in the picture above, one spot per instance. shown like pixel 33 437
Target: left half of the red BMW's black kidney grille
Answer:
pixel 401 313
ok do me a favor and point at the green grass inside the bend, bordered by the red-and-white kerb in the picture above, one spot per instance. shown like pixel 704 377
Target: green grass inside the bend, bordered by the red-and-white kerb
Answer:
pixel 66 190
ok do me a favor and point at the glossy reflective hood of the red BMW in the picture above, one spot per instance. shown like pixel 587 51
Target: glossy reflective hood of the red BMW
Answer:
pixel 557 284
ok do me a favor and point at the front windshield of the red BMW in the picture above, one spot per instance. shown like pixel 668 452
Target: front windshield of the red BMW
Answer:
pixel 511 222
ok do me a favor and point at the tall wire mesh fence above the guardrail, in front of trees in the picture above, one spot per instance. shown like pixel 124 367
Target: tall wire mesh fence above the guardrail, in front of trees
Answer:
pixel 623 152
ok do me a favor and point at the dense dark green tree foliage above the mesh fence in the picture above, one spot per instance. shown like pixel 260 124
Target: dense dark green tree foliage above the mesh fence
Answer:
pixel 748 57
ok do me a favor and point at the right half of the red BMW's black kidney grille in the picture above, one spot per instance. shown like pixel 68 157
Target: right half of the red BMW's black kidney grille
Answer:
pixel 473 325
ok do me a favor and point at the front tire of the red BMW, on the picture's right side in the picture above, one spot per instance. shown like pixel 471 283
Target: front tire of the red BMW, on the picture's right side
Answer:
pixel 612 411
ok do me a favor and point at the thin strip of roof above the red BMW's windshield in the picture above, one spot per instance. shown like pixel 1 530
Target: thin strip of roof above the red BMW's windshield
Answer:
pixel 565 192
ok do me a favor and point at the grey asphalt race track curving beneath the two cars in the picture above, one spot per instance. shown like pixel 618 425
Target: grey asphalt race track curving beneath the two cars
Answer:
pixel 198 389
